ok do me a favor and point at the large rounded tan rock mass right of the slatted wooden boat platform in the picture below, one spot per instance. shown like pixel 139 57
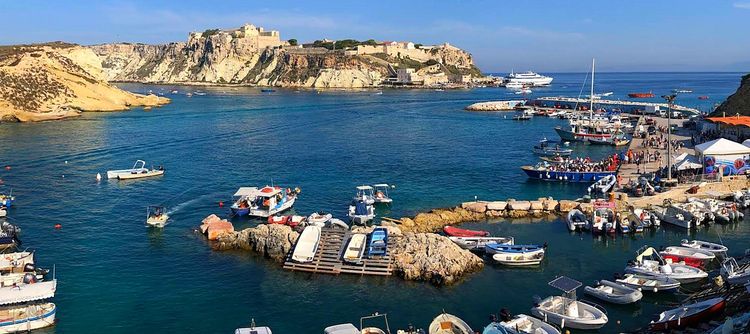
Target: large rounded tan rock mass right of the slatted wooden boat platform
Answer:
pixel 433 258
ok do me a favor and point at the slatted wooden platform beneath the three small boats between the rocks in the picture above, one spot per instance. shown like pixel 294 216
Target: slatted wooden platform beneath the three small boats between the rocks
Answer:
pixel 328 257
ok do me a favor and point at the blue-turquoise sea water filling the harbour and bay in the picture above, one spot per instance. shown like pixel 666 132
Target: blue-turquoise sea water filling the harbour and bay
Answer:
pixel 117 275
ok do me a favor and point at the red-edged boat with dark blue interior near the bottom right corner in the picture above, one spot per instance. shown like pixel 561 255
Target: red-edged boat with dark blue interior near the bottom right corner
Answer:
pixel 688 315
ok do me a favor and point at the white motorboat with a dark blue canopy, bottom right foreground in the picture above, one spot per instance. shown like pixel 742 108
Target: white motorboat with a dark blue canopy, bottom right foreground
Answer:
pixel 566 311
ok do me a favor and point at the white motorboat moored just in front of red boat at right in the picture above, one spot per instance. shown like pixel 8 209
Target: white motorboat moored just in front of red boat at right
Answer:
pixel 650 263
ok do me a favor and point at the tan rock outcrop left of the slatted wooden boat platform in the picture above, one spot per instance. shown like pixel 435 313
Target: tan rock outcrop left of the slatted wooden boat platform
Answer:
pixel 270 240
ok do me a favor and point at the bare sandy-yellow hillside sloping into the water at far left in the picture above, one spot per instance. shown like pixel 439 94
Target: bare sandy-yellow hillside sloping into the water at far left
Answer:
pixel 58 80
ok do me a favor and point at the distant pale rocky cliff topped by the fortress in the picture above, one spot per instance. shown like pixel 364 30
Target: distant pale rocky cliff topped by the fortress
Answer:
pixel 224 58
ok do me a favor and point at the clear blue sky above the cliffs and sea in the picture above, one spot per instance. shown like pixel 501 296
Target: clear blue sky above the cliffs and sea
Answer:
pixel 544 36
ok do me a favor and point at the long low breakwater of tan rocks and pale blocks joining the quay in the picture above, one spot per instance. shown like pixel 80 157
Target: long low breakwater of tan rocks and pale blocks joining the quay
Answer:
pixel 436 219
